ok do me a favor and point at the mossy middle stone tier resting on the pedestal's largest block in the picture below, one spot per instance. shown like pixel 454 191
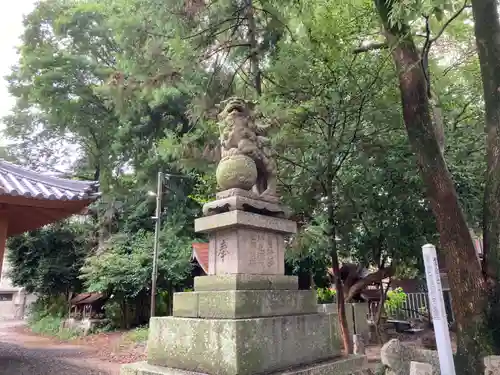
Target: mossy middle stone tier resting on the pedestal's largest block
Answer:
pixel 239 304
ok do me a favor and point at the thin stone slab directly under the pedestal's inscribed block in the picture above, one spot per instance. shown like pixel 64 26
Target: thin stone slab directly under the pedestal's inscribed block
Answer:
pixel 245 282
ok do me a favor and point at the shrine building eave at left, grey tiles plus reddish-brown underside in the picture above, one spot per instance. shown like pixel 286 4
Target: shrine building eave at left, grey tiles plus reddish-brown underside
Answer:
pixel 30 200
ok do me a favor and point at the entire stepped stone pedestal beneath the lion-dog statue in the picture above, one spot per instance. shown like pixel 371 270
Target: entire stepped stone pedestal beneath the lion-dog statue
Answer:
pixel 246 317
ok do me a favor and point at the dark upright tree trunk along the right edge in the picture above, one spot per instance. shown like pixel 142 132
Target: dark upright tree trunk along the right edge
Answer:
pixel 487 31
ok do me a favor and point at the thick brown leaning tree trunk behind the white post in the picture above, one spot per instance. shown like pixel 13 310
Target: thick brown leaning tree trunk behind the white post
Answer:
pixel 464 271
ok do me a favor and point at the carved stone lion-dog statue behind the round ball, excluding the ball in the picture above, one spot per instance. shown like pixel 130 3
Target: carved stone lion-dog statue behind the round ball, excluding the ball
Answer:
pixel 241 134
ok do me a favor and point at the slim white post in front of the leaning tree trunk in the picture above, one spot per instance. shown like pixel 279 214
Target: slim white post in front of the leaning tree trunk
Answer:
pixel 437 310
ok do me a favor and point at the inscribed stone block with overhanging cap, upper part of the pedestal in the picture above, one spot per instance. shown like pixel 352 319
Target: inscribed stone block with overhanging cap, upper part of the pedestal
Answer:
pixel 242 242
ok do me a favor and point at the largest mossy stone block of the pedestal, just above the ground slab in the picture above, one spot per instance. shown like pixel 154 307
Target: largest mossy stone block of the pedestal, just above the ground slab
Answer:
pixel 242 346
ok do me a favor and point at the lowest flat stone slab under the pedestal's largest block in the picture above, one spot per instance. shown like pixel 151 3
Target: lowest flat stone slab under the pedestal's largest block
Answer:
pixel 354 365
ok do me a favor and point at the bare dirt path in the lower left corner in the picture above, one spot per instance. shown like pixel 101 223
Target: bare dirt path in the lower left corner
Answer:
pixel 22 354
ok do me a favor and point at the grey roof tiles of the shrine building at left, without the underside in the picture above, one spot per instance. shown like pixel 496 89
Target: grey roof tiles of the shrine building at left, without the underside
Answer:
pixel 23 182
